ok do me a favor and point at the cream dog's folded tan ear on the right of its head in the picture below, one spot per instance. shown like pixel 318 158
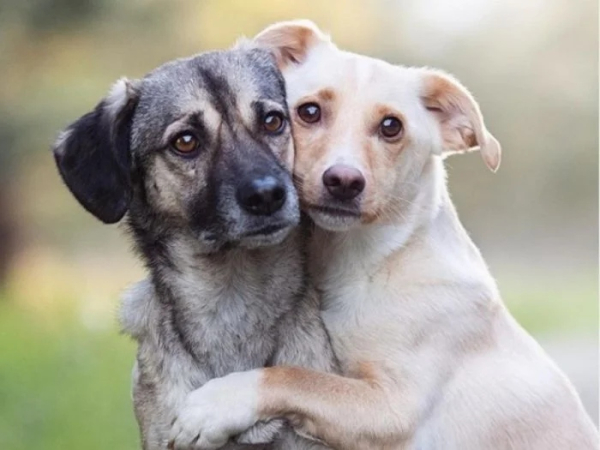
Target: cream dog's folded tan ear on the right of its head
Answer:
pixel 460 119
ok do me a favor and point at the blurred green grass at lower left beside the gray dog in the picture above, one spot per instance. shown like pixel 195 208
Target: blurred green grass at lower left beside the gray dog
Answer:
pixel 63 387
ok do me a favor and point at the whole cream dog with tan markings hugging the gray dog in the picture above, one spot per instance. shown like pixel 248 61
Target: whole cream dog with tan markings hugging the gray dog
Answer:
pixel 431 357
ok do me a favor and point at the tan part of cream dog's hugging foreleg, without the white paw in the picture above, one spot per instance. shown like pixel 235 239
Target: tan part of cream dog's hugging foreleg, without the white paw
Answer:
pixel 348 413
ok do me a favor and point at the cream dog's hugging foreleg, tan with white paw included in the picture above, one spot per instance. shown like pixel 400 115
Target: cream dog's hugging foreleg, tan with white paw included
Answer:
pixel 347 413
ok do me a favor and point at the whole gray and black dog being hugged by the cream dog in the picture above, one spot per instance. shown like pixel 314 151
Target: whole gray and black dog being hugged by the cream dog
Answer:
pixel 197 153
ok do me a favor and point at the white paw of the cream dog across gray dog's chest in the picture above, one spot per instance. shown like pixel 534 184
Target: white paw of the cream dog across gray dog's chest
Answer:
pixel 222 408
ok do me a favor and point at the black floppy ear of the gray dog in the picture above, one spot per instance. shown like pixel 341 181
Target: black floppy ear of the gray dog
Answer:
pixel 93 155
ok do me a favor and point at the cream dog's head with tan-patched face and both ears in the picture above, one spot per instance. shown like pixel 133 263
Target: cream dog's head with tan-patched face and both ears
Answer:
pixel 365 129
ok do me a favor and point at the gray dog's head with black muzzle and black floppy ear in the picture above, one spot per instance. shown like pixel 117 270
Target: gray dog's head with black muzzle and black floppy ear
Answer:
pixel 201 144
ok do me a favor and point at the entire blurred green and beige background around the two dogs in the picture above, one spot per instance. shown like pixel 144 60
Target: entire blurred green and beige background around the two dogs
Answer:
pixel 533 65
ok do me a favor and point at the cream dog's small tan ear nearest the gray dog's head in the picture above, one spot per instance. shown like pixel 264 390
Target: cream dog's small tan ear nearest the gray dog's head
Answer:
pixel 291 41
